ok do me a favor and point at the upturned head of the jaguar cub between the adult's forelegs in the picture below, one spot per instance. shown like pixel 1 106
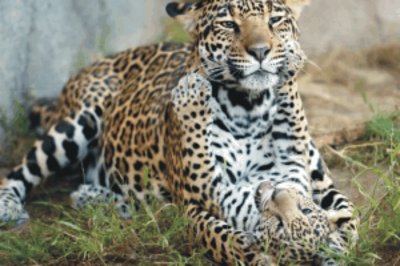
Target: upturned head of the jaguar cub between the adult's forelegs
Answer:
pixel 293 226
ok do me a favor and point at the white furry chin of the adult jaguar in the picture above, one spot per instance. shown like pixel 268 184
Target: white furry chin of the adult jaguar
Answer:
pixel 260 81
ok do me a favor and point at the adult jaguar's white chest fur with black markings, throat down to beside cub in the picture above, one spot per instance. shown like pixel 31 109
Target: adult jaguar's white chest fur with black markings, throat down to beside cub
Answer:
pixel 239 141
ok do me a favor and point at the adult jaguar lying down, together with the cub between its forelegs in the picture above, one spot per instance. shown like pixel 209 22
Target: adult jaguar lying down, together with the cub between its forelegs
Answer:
pixel 216 126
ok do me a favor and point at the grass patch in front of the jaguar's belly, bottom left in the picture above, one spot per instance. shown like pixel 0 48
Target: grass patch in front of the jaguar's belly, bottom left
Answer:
pixel 98 236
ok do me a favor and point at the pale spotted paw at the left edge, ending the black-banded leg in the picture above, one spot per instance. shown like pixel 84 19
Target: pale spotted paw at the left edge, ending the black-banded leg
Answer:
pixel 11 208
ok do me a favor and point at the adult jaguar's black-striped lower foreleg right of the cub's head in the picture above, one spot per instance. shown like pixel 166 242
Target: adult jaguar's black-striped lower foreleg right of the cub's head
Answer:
pixel 340 209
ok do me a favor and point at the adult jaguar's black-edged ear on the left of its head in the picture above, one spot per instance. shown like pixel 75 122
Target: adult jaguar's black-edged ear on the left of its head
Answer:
pixel 185 13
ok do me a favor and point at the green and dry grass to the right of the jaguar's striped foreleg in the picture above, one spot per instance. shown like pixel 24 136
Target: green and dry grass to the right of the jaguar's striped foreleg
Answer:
pixel 378 155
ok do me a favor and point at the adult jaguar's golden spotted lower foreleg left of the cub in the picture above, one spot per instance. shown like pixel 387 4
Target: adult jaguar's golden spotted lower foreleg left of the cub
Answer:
pixel 225 244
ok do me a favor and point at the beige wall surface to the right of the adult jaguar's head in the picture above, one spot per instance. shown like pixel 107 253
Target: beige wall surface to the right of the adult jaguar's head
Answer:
pixel 338 24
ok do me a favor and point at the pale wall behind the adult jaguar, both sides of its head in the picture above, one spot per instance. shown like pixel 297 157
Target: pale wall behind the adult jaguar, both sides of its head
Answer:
pixel 43 42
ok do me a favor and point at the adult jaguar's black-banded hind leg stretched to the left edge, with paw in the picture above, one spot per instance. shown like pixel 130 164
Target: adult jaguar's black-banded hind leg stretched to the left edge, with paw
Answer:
pixel 65 144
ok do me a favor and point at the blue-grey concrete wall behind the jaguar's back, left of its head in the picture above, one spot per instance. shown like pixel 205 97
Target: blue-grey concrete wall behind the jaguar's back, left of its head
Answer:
pixel 42 42
